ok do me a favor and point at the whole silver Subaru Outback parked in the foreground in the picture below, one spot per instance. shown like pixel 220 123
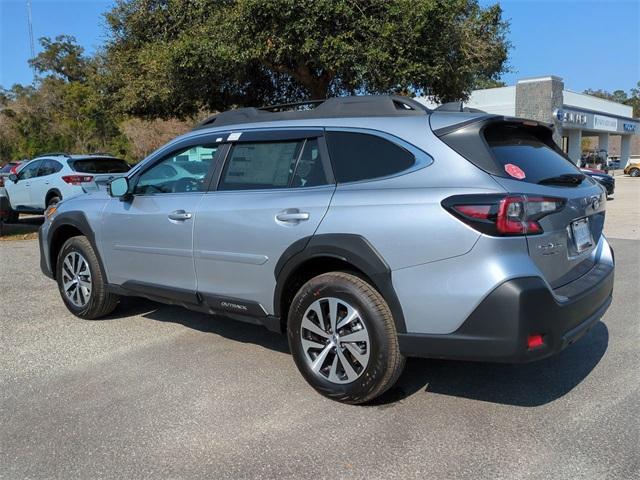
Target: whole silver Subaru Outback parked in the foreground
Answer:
pixel 367 229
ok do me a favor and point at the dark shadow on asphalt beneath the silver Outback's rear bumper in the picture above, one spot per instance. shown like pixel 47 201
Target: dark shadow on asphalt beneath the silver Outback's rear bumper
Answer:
pixel 526 385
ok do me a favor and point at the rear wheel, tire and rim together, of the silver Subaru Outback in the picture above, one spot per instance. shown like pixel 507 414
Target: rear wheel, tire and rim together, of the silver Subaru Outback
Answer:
pixel 343 338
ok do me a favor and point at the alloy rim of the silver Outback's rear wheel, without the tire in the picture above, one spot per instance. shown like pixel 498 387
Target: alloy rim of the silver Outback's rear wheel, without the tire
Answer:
pixel 335 340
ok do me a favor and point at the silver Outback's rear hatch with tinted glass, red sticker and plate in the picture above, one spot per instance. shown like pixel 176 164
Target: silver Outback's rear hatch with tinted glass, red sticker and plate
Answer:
pixel 523 158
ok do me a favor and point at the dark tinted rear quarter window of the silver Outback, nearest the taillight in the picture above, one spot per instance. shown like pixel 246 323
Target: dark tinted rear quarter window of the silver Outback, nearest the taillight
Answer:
pixel 359 156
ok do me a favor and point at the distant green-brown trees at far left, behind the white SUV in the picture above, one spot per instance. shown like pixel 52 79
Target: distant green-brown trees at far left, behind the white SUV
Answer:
pixel 67 109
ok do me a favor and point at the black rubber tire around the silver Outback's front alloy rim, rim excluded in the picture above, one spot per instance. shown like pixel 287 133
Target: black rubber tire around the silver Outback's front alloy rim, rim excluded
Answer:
pixel 100 302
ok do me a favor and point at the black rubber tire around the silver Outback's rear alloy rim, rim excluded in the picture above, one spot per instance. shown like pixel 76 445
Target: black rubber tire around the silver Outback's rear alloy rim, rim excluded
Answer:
pixel 385 362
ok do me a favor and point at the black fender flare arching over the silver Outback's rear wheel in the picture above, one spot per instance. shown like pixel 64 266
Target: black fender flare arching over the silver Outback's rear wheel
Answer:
pixel 351 248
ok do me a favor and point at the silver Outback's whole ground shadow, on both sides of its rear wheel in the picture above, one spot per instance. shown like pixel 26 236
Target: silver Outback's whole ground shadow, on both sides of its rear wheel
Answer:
pixel 527 385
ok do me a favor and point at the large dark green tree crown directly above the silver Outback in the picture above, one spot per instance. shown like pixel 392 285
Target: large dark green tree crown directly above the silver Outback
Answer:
pixel 171 57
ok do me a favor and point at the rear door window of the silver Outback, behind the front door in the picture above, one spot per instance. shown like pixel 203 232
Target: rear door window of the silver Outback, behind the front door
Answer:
pixel 268 165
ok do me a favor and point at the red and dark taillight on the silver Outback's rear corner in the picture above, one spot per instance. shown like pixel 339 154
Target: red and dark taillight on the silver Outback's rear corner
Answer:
pixel 503 215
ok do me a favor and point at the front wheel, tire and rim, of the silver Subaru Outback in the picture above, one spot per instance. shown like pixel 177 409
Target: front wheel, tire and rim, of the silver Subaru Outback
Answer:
pixel 81 281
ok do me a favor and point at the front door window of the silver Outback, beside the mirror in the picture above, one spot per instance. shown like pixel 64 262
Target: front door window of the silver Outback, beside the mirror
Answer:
pixel 182 171
